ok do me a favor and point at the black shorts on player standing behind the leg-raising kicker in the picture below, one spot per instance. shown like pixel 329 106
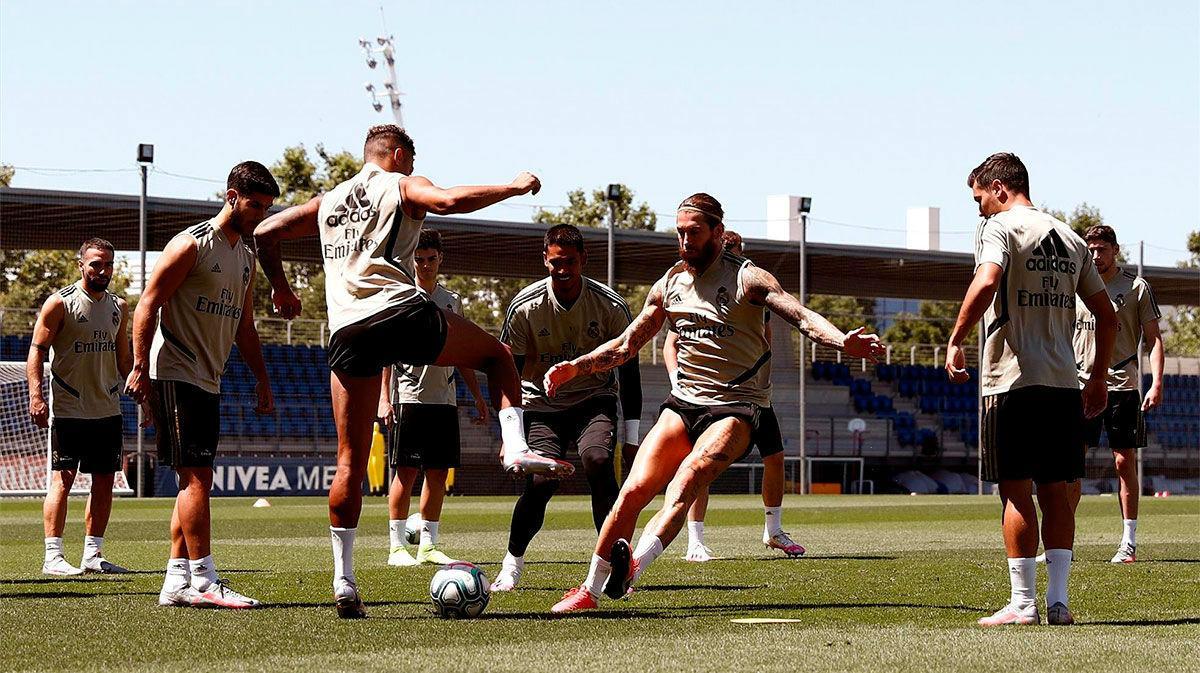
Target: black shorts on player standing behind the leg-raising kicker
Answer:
pixel 424 436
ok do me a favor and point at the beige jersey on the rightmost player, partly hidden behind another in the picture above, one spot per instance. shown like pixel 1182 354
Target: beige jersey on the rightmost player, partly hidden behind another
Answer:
pixel 1136 307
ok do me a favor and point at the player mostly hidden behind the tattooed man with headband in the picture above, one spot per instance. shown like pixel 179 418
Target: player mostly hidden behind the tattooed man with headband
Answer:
pixel 770 442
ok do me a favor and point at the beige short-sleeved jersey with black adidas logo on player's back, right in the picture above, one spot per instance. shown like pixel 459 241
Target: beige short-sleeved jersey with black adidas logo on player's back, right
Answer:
pixel 1031 321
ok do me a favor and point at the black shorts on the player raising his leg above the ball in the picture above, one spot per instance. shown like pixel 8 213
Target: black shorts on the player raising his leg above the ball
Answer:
pixel 412 334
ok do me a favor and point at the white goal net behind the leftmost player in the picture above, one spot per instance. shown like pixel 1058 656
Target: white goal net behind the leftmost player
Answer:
pixel 26 448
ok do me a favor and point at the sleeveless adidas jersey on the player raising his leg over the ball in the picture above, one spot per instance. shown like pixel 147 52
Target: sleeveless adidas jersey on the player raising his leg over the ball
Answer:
pixel 368 245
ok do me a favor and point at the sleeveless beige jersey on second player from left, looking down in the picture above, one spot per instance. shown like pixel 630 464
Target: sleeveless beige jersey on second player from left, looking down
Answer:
pixel 199 325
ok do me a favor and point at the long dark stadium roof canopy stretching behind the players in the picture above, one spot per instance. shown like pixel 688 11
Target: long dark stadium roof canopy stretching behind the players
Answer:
pixel 45 219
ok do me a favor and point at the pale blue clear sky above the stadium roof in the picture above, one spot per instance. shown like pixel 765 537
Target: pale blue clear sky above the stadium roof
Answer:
pixel 868 107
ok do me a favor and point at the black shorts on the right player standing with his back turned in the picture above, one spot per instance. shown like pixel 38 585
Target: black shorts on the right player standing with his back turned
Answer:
pixel 1035 432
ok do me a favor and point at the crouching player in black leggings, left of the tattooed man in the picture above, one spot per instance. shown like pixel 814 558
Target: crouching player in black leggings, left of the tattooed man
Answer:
pixel 553 321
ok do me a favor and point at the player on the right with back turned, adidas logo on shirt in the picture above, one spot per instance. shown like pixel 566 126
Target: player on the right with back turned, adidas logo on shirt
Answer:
pixel 1029 271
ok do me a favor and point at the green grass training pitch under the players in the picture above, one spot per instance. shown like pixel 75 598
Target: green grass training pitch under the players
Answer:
pixel 891 584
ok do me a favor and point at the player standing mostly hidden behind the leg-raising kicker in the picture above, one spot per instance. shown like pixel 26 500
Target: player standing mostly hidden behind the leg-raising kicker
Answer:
pixel 419 407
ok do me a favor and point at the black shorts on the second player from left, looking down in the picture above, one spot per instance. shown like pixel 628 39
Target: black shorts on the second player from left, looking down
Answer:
pixel 188 424
